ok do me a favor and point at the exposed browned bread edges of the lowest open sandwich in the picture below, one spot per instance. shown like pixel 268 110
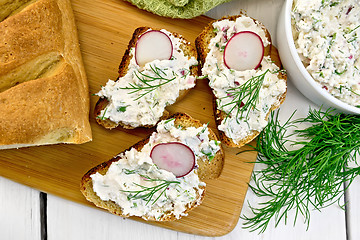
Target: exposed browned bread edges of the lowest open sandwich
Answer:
pixel 207 170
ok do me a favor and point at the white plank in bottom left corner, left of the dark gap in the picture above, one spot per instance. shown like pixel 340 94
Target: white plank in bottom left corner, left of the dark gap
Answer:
pixel 19 211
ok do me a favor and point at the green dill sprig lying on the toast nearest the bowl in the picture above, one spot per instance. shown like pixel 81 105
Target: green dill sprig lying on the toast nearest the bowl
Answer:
pixel 244 97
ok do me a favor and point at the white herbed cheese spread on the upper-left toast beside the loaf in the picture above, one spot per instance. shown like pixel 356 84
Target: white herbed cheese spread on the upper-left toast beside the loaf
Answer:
pixel 139 98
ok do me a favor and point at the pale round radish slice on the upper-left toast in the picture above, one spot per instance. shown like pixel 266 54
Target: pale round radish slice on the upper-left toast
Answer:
pixel 153 45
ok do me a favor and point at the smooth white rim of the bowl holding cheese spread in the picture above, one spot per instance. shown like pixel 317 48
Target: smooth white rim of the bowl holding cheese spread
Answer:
pixel 301 67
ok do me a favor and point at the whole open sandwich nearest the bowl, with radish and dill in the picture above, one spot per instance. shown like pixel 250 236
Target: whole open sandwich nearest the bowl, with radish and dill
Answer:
pixel 244 94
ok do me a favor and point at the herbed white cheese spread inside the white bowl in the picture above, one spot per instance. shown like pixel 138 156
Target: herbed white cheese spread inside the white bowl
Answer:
pixel 326 35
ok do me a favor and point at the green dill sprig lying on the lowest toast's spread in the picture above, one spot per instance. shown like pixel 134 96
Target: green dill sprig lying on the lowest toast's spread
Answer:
pixel 147 193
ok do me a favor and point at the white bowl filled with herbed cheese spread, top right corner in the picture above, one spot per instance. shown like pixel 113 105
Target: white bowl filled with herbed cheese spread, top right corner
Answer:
pixel 319 47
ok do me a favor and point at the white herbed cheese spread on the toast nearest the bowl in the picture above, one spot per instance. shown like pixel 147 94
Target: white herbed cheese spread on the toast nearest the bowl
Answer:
pixel 226 83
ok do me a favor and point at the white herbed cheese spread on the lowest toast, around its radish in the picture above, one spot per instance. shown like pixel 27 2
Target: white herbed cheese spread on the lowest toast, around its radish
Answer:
pixel 135 172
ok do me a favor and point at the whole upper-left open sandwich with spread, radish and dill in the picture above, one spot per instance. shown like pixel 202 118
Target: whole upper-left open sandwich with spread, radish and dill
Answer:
pixel 145 87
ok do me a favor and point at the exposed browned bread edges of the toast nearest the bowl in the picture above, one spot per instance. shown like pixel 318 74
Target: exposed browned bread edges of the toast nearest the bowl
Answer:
pixel 202 43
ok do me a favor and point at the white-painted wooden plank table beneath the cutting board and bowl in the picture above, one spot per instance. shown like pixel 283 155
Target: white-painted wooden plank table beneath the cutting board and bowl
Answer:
pixel 26 213
